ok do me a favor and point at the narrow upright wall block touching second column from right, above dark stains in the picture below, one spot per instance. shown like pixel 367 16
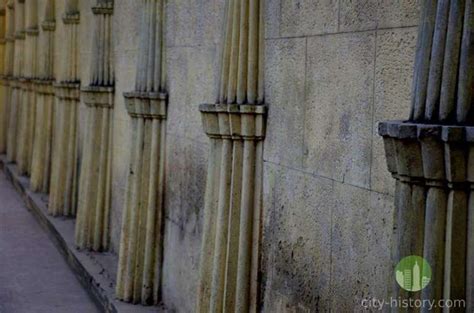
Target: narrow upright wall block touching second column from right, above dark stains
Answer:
pixel 285 96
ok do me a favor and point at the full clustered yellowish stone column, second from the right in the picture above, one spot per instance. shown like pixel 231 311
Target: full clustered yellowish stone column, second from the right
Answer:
pixel 236 128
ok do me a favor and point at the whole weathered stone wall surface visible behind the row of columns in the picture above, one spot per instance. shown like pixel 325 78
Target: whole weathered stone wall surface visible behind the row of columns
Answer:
pixel 333 69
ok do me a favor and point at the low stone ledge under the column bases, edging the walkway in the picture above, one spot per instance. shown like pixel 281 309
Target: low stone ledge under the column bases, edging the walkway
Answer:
pixel 95 271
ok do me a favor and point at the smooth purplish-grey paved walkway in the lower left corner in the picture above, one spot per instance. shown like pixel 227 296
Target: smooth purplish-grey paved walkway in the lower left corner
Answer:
pixel 34 278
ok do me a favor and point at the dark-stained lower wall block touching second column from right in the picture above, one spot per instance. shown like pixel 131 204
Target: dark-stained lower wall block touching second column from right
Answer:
pixel 297 239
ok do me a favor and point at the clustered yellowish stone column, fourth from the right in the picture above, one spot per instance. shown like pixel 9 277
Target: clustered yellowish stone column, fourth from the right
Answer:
pixel 92 227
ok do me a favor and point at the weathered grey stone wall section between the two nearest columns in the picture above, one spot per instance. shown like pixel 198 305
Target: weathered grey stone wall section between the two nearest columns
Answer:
pixel 333 70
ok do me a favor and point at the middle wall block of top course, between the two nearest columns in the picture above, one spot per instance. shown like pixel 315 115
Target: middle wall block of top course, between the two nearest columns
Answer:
pixel 308 17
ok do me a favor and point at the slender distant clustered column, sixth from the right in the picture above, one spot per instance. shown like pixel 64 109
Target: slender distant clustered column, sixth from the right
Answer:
pixel 42 144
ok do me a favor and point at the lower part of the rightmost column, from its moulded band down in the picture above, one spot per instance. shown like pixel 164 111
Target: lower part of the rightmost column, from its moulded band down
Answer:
pixel 433 166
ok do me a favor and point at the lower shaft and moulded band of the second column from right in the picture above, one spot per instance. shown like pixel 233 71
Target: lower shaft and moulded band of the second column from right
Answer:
pixel 230 252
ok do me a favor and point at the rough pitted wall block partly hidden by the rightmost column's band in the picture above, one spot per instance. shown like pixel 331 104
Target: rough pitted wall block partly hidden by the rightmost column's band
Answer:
pixel 393 79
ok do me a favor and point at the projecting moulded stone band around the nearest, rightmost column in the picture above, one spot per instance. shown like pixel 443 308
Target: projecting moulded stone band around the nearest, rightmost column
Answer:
pixel 429 154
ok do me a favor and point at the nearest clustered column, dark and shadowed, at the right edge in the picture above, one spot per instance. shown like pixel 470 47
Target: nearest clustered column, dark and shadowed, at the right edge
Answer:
pixel 432 154
